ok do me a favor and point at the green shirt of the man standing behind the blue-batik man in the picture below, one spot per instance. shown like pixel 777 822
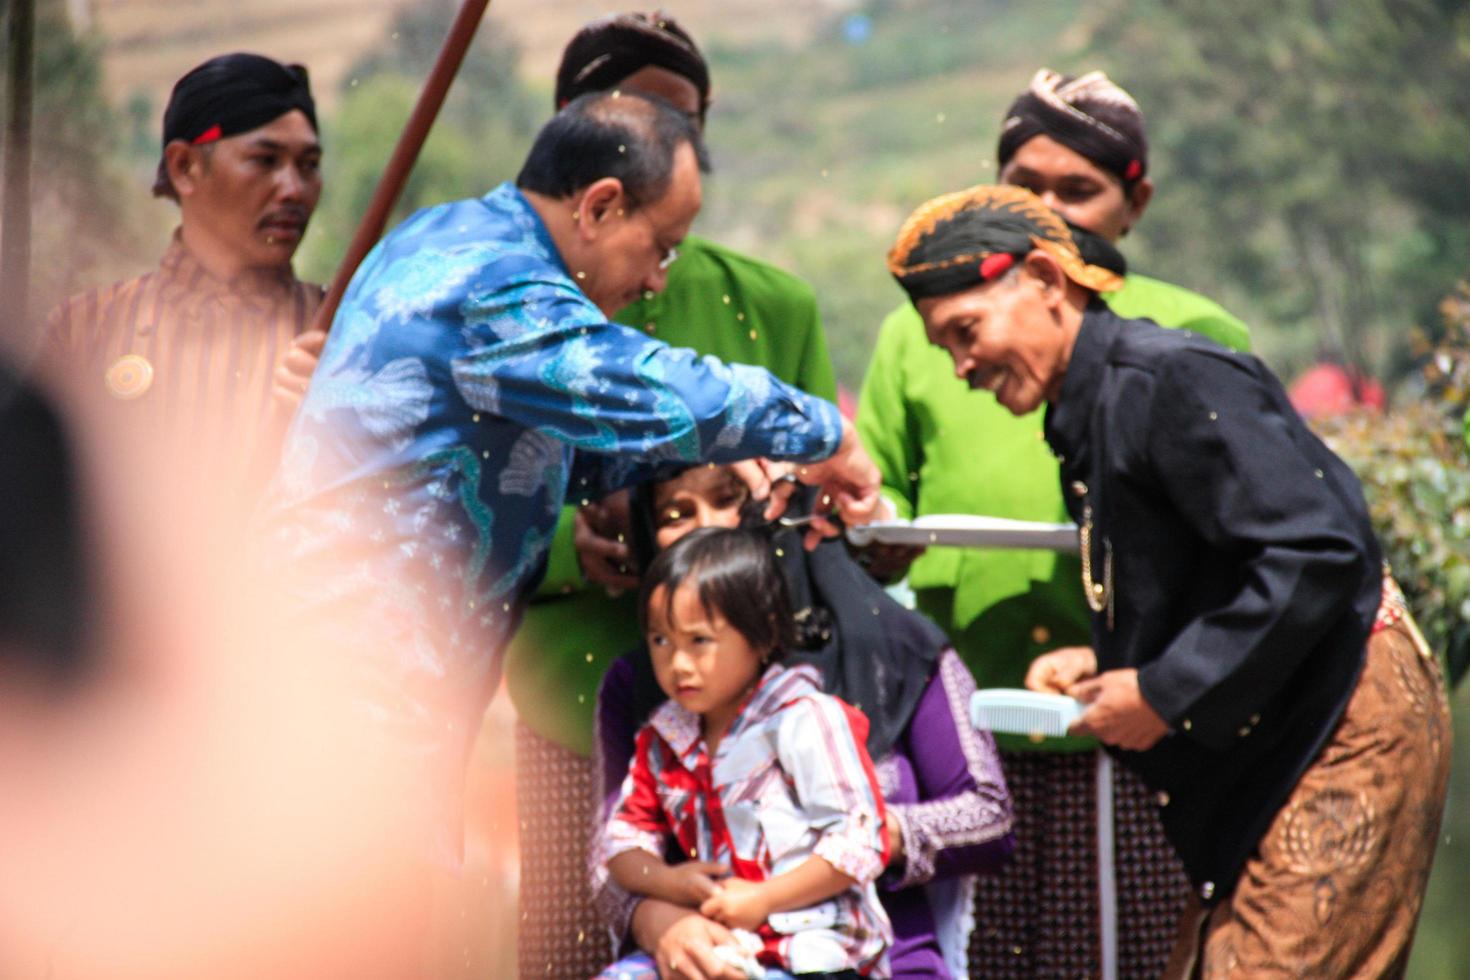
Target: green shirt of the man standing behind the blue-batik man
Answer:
pixel 717 302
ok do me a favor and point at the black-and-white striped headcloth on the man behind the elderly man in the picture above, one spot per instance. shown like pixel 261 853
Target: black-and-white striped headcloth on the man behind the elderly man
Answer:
pixel 1087 114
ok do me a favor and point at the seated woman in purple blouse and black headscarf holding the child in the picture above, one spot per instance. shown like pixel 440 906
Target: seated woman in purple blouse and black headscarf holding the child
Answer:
pixel 949 813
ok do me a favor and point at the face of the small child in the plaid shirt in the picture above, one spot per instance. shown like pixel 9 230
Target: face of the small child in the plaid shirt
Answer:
pixel 700 660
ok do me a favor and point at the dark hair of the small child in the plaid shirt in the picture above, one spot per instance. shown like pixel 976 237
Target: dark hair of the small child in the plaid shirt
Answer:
pixel 736 575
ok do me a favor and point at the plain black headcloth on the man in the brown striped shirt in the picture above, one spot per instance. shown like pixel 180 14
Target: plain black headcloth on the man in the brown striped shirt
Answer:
pixel 232 95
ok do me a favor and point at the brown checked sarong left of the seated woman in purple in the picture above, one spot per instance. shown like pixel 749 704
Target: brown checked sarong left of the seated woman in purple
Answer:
pixel 561 935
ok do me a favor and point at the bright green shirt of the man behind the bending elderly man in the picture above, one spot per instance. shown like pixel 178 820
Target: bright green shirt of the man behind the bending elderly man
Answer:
pixel 947 450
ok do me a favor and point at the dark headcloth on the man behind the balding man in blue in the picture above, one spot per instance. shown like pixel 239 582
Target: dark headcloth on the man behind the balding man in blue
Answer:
pixel 611 49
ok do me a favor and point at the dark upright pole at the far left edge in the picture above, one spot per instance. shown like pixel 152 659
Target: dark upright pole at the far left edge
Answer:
pixel 15 245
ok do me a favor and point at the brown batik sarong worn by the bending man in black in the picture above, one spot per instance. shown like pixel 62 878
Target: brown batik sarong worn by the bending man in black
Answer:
pixel 1337 885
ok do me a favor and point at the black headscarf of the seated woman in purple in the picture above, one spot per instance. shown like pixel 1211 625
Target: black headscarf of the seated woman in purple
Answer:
pixel 872 653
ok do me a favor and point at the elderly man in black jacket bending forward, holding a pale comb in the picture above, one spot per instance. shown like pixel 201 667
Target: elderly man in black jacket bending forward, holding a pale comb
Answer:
pixel 1250 657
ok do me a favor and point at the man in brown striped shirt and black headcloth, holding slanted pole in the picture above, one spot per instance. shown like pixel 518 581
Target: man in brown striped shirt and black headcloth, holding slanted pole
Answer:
pixel 205 355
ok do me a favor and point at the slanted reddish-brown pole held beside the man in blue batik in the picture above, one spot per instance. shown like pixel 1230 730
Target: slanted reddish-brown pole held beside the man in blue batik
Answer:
pixel 431 99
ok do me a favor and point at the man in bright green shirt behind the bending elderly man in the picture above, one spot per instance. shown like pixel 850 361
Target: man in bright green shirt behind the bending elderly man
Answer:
pixel 1080 145
